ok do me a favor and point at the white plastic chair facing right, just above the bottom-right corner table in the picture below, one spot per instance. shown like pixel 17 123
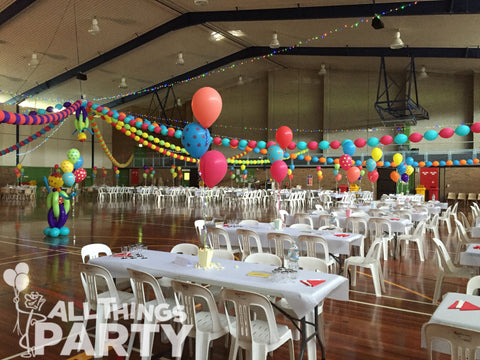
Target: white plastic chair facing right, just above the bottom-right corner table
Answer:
pixel 446 268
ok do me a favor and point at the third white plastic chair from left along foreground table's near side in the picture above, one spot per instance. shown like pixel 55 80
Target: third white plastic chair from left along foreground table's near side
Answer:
pixel 208 324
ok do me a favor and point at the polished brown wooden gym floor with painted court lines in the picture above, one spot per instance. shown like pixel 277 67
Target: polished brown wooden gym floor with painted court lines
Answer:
pixel 365 327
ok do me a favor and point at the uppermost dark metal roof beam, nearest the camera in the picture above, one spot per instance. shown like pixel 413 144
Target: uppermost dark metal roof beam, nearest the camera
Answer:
pixel 440 7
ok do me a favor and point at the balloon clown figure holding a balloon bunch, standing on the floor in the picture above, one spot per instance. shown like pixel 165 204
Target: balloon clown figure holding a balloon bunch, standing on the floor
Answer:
pixel 58 201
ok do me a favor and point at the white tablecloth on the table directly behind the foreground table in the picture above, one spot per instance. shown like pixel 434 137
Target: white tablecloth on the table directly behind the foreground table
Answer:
pixel 336 244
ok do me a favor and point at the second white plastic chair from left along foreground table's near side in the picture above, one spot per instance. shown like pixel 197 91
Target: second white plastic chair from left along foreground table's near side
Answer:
pixel 143 283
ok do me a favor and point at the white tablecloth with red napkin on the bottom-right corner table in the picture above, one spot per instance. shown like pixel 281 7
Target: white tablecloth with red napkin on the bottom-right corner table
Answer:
pixel 454 317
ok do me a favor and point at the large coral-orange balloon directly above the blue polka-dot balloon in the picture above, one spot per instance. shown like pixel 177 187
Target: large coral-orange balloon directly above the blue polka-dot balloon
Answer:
pixel 206 106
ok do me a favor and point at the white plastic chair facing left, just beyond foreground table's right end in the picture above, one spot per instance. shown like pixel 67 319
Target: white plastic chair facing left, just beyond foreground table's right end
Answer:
pixel 371 261
